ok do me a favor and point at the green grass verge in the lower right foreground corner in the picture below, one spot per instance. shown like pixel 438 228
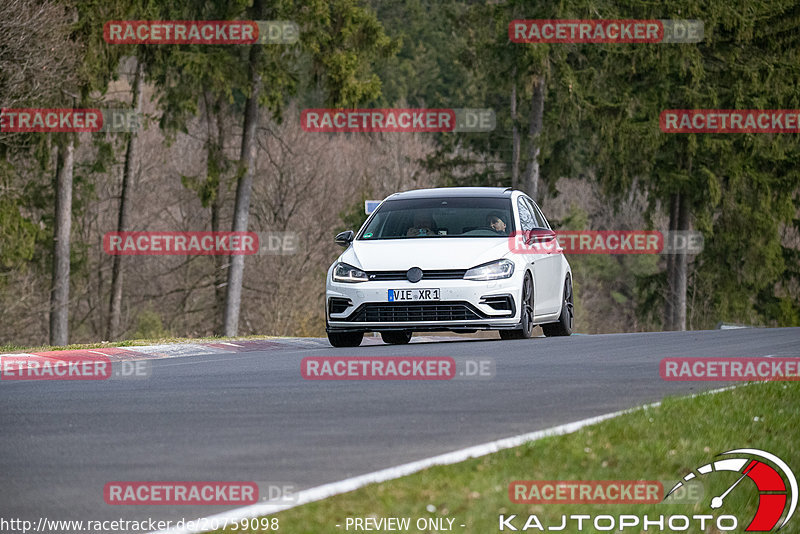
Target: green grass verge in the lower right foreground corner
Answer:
pixel 662 443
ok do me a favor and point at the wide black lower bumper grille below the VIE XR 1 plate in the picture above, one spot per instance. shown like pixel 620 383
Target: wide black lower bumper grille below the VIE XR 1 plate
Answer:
pixel 402 312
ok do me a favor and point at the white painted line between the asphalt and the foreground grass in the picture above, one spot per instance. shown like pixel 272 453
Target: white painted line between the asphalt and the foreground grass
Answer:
pixel 325 491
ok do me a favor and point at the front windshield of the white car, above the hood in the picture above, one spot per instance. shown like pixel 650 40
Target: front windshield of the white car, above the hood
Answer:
pixel 441 217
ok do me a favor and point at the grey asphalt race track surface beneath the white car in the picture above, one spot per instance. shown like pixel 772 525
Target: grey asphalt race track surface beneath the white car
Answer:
pixel 252 417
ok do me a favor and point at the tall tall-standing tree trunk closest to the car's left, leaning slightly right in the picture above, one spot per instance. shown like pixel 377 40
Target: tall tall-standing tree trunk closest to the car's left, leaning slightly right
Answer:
pixel 244 187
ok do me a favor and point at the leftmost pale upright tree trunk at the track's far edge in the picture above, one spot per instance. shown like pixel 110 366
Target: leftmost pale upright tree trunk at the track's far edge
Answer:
pixel 62 226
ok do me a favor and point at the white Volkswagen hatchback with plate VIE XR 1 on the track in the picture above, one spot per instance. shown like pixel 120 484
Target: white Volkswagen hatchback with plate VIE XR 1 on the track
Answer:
pixel 449 259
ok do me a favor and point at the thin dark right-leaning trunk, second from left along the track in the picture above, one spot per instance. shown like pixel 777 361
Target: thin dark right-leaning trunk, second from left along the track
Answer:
pixel 131 157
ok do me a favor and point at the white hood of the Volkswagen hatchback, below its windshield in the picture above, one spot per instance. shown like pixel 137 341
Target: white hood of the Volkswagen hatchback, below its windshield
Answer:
pixel 425 253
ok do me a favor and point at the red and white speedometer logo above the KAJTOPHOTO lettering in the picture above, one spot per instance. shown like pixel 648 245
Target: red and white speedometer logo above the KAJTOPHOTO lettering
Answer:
pixel 773 493
